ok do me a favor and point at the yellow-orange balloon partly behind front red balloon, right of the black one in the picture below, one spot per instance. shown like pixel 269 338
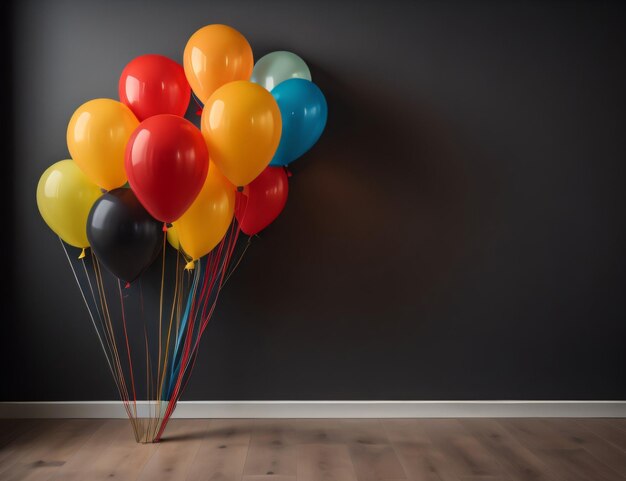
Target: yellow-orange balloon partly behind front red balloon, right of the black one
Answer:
pixel 206 222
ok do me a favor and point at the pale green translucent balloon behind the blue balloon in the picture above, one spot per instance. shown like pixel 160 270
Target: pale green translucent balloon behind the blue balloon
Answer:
pixel 276 67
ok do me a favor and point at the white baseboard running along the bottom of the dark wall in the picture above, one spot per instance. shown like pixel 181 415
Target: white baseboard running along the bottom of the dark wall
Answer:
pixel 325 409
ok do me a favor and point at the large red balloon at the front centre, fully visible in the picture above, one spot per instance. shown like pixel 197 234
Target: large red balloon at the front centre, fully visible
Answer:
pixel 166 163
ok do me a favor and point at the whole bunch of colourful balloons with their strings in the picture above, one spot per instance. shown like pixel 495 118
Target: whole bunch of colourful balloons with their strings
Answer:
pixel 142 173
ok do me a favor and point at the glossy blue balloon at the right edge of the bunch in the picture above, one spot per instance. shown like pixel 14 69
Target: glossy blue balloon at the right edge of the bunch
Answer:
pixel 304 111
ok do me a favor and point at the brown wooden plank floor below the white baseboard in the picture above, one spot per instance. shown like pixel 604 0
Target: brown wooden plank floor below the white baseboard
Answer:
pixel 312 450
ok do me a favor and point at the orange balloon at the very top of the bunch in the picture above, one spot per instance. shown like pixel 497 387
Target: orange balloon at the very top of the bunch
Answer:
pixel 215 55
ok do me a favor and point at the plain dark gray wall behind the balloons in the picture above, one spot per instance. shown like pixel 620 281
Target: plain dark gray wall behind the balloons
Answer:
pixel 458 232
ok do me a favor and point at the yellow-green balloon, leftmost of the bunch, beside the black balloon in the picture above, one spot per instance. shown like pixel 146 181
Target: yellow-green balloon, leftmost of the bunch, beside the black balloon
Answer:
pixel 64 198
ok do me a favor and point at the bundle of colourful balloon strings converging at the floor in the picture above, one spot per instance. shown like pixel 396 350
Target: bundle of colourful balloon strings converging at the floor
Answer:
pixel 178 361
